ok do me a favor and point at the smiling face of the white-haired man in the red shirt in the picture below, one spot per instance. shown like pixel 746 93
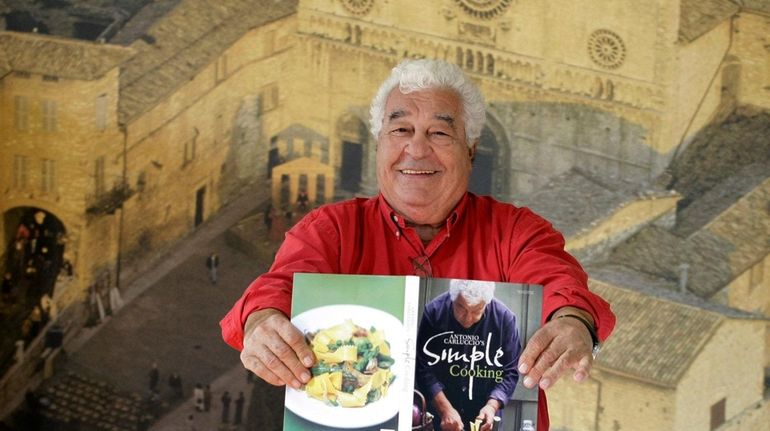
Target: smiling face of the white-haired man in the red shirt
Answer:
pixel 423 160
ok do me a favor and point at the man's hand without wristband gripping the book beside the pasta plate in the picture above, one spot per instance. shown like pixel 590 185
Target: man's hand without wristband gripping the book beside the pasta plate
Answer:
pixel 272 348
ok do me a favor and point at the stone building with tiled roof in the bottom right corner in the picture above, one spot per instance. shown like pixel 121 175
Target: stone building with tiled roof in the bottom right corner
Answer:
pixel 673 363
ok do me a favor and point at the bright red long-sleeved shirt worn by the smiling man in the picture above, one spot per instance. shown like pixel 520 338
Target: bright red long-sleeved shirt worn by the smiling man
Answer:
pixel 482 239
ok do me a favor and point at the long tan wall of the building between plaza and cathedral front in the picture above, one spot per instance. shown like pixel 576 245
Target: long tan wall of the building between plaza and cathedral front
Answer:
pixel 203 132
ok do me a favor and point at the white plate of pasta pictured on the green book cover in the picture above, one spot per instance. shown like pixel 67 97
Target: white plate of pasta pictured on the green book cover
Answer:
pixel 358 379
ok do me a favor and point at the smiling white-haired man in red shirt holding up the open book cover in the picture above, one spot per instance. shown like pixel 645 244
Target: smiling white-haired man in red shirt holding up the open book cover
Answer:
pixel 427 118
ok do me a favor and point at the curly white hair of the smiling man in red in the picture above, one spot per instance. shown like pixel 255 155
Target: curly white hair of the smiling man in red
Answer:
pixel 417 75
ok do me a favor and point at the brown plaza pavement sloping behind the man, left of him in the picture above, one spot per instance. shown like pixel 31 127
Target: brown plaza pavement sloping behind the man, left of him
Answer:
pixel 171 317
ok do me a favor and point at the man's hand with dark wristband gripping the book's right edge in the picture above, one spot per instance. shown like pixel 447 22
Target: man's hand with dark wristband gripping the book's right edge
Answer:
pixel 559 345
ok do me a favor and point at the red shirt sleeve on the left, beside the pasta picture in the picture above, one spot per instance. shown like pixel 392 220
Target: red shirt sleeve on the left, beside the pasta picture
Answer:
pixel 309 246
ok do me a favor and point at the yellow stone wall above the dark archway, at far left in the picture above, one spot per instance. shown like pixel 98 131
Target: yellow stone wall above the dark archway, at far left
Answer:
pixel 83 129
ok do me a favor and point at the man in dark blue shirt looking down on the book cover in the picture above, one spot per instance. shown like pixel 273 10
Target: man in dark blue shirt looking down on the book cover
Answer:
pixel 468 345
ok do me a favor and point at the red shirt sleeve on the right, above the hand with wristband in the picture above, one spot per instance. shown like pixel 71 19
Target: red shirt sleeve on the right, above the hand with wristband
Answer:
pixel 538 257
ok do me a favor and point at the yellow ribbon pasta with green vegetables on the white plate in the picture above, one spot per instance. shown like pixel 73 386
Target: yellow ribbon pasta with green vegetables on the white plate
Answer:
pixel 353 365
